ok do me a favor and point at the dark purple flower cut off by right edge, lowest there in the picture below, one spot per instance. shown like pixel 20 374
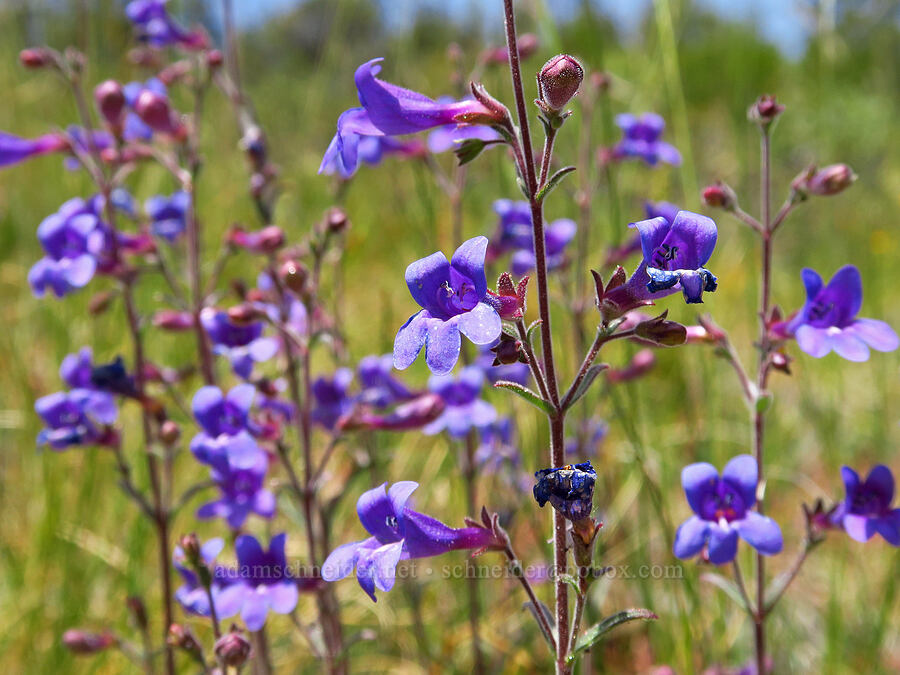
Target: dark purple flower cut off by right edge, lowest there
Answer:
pixel 867 508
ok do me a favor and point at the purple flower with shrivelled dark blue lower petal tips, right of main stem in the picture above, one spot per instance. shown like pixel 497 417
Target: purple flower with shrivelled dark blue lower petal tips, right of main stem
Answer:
pixel 674 254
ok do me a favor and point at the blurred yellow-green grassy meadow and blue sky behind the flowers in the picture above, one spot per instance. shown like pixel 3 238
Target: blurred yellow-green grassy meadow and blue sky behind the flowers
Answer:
pixel 72 548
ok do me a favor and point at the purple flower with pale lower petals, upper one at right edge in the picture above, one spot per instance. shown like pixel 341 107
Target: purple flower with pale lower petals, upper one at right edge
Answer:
pixel 828 319
